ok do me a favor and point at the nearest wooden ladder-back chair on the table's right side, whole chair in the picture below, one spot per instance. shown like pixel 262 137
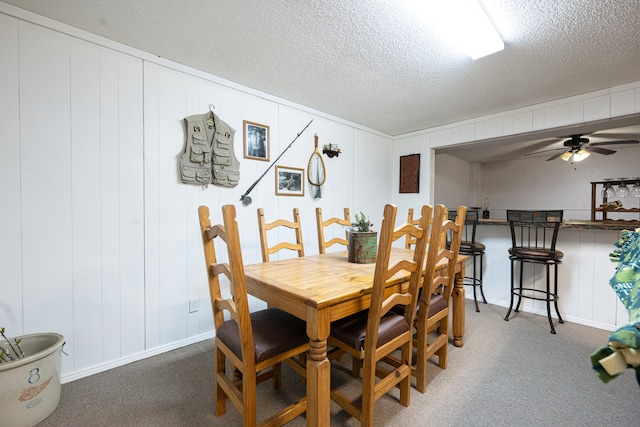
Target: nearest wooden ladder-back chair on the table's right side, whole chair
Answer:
pixel 371 336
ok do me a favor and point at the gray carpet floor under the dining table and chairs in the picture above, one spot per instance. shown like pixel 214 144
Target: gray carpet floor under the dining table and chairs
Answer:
pixel 508 373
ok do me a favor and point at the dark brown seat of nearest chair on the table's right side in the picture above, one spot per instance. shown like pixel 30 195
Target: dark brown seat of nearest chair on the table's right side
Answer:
pixel 352 330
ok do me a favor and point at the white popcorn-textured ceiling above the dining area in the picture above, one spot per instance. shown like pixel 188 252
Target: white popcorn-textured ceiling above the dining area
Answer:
pixel 376 62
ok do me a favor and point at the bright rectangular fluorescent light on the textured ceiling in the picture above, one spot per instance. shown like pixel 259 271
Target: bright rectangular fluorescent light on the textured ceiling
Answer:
pixel 463 23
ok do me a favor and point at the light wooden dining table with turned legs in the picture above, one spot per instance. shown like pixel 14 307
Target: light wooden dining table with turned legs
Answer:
pixel 323 288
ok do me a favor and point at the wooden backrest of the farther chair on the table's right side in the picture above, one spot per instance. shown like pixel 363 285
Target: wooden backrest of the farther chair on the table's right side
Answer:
pixel 442 253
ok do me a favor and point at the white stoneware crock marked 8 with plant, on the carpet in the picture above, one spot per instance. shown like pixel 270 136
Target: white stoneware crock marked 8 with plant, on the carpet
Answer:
pixel 29 377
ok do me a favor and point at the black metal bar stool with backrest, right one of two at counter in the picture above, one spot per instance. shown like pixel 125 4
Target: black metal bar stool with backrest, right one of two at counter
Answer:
pixel 533 240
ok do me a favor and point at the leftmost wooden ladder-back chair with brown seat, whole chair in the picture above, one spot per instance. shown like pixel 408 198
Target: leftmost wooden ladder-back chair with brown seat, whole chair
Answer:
pixel 256 343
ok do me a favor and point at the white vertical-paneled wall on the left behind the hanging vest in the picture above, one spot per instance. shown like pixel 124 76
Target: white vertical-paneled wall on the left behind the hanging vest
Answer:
pixel 100 239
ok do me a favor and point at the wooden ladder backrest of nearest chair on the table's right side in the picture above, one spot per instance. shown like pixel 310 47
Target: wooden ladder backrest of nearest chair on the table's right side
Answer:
pixel 383 272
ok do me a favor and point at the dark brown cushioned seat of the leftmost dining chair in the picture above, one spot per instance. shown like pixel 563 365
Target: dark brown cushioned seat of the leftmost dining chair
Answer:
pixel 274 332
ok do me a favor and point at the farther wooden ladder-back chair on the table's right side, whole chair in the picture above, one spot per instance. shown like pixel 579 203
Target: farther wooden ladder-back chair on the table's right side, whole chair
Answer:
pixel 435 298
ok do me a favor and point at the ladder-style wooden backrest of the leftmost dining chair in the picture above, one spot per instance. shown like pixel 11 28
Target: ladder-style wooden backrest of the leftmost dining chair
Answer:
pixel 237 305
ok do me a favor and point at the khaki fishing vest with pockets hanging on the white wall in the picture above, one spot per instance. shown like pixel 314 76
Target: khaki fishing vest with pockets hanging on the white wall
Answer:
pixel 208 156
